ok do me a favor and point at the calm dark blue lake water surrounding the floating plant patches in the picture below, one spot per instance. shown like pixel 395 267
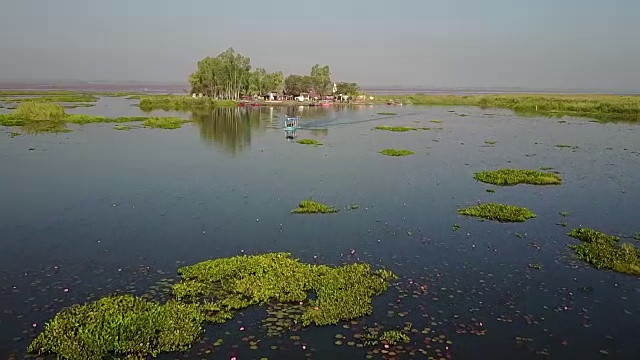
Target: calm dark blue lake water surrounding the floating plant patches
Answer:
pixel 93 211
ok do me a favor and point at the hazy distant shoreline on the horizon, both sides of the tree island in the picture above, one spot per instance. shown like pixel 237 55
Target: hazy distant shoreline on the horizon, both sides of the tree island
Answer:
pixel 177 88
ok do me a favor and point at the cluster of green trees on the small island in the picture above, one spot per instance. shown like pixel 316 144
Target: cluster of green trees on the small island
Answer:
pixel 229 75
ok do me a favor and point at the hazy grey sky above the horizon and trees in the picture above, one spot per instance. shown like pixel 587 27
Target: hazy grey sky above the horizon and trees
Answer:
pixel 523 43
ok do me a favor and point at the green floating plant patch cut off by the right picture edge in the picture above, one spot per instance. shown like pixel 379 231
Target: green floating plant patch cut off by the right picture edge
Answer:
pixel 603 252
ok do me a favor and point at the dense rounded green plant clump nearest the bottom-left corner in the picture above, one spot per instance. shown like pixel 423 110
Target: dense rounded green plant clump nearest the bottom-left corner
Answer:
pixel 120 326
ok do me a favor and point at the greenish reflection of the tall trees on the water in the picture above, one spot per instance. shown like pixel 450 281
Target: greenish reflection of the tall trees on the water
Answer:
pixel 229 128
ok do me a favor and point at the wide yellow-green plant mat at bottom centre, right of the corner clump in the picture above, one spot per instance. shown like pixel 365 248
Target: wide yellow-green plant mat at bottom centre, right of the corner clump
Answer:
pixel 230 284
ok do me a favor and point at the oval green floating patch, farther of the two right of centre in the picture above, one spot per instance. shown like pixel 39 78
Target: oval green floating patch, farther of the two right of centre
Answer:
pixel 510 177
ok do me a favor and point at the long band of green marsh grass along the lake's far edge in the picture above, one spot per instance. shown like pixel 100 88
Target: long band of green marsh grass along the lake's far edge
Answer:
pixel 602 107
